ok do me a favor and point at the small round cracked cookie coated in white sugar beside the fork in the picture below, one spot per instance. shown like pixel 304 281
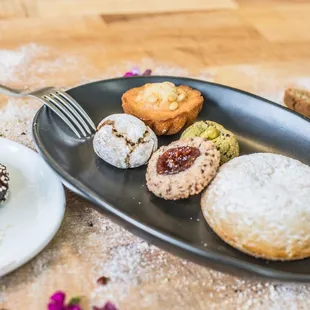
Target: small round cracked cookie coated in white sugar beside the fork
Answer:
pixel 124 141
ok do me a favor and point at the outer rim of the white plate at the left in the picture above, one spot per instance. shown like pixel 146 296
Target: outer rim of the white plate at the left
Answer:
pixel 40 247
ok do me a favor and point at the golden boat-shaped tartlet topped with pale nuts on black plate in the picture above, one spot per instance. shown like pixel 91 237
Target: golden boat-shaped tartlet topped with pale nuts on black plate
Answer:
pixel 164 107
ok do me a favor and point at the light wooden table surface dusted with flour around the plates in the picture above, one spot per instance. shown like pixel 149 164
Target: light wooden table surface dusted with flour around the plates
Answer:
pixel 260 46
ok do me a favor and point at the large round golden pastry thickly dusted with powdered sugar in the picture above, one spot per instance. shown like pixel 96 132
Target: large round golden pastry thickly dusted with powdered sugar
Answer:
pixel 259 204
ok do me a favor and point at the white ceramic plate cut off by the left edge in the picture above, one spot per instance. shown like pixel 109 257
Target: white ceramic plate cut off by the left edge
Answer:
pixel 31 216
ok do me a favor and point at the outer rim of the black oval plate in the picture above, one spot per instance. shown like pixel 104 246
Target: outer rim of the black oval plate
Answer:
pixel 206 254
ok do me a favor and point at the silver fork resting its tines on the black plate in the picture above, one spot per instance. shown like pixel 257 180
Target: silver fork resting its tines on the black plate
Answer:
pixel 62 104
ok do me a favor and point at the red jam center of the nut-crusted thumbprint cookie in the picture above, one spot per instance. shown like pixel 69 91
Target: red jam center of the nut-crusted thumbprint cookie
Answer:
pixel 177 159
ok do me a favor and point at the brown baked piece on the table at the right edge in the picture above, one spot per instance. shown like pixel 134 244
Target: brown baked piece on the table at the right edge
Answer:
pixel 298 100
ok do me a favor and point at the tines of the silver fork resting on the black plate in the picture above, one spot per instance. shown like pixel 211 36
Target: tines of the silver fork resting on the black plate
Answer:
pixel 70 111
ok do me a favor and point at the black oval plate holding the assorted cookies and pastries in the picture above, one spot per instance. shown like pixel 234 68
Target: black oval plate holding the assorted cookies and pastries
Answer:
pixel 179 227
